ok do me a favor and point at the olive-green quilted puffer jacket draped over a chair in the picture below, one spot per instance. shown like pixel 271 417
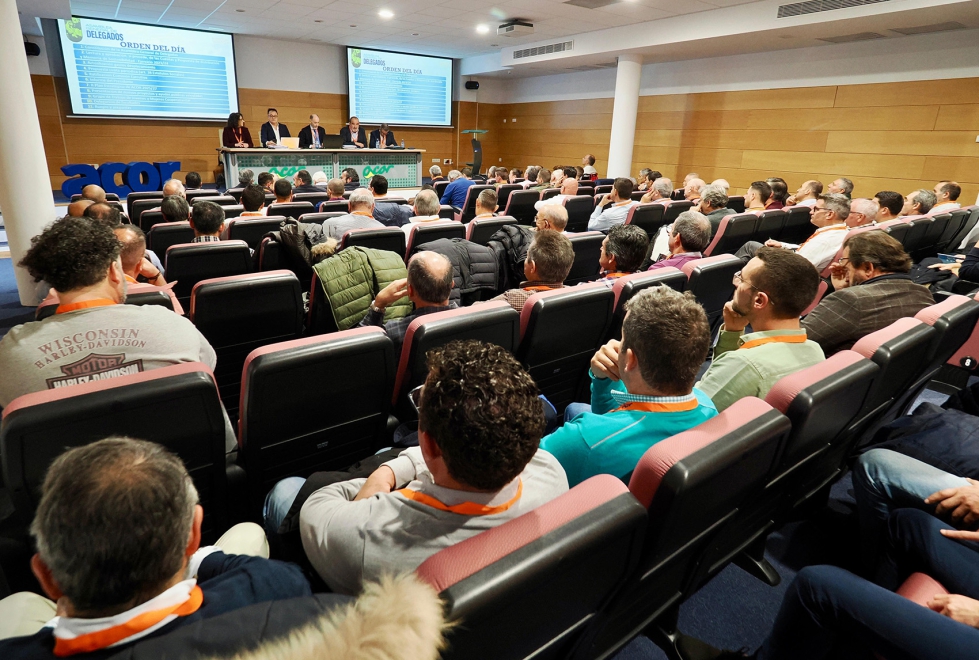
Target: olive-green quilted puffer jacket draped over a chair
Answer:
pixel 353 277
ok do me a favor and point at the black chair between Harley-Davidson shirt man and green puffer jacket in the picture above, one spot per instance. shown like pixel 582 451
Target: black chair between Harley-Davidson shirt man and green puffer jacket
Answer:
pixel 240 313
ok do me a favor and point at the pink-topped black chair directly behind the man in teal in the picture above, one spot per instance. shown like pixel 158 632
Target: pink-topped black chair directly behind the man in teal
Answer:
pixel 691 484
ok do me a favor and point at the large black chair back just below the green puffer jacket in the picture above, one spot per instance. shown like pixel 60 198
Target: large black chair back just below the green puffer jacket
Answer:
pixel 346 422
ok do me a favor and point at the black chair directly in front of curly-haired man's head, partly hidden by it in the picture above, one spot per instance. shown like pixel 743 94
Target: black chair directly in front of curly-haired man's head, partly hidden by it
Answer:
pixel 491 322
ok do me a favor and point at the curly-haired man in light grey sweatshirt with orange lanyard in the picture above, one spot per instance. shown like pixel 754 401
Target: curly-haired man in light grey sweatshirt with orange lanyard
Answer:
pixel 477 466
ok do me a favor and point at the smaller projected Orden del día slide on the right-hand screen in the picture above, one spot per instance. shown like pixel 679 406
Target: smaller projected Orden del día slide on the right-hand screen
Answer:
pixel 400 89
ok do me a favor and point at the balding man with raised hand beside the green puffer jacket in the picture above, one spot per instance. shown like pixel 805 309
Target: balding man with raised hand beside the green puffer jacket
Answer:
pixel 428 285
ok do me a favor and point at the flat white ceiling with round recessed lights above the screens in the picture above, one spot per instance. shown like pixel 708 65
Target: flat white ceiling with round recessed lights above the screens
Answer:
pixel 435 27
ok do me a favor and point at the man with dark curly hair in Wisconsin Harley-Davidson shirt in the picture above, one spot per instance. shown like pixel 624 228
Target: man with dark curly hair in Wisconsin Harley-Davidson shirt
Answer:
pixel 91 335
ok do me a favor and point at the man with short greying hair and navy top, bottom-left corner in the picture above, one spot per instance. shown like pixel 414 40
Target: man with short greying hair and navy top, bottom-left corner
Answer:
pixel 118 534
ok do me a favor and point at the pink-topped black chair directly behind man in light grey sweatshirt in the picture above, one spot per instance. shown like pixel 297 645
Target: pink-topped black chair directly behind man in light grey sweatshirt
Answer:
pixel 565 558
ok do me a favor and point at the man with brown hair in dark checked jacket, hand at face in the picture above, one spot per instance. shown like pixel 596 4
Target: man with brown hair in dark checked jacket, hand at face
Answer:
pixel 872 290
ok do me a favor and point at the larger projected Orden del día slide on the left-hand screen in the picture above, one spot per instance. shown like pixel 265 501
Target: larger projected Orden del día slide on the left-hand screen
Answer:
pixel 129 70
